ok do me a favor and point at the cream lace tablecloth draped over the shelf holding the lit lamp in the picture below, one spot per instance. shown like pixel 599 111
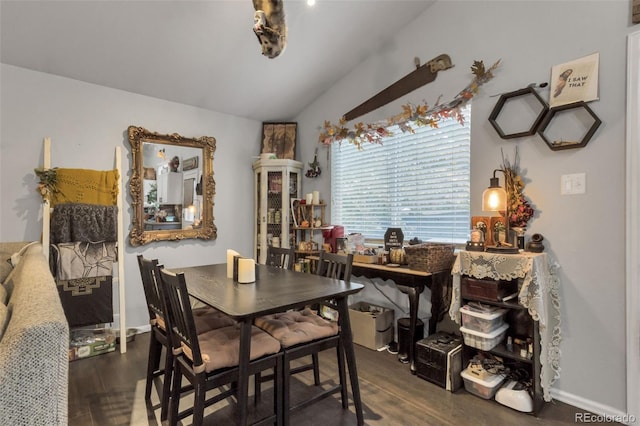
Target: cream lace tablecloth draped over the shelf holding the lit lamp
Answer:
pixel 538 293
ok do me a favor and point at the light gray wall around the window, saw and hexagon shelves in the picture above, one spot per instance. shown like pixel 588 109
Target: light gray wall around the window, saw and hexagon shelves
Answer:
pixel 584 233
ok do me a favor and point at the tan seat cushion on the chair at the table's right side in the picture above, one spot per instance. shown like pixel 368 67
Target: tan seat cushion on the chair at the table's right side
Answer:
pixel 295 327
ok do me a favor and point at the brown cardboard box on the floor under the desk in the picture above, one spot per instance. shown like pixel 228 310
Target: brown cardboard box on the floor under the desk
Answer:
pixel 372 325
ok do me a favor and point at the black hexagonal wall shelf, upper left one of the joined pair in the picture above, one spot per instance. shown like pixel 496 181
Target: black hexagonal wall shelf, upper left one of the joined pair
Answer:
pixel 518 113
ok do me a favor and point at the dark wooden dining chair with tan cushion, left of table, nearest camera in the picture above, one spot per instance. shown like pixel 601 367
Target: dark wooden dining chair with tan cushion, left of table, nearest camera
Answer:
pixel 210 360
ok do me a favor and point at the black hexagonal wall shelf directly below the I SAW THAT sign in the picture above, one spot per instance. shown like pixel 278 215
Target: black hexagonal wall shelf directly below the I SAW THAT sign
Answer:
pixel 569 126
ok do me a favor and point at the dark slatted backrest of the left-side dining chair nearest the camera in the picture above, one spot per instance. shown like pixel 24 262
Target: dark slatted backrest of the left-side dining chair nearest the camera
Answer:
pixel 180 316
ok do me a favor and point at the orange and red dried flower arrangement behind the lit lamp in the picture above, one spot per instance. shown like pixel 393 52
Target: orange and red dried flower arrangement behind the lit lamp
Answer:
pixel 520 210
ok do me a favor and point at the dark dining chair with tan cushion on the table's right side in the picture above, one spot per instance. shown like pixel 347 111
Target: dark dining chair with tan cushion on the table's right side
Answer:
pixel 304 333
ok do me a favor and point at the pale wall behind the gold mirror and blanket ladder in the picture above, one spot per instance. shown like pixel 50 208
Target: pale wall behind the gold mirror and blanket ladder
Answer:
pixel 86 122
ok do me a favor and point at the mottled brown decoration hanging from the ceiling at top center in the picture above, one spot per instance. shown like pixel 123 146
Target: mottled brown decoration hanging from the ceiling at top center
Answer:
pixel 270 26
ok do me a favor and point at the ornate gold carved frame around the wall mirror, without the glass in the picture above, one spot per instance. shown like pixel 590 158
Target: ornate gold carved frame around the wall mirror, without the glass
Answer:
pixel 138 235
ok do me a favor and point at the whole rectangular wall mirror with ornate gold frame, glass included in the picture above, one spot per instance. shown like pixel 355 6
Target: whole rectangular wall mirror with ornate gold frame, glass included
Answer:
pixel 171 187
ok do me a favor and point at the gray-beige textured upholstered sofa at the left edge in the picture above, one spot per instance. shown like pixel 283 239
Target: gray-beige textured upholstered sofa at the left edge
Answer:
pixel 34 340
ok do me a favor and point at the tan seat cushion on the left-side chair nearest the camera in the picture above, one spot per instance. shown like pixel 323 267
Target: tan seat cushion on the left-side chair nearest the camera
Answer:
pixel 220 348
